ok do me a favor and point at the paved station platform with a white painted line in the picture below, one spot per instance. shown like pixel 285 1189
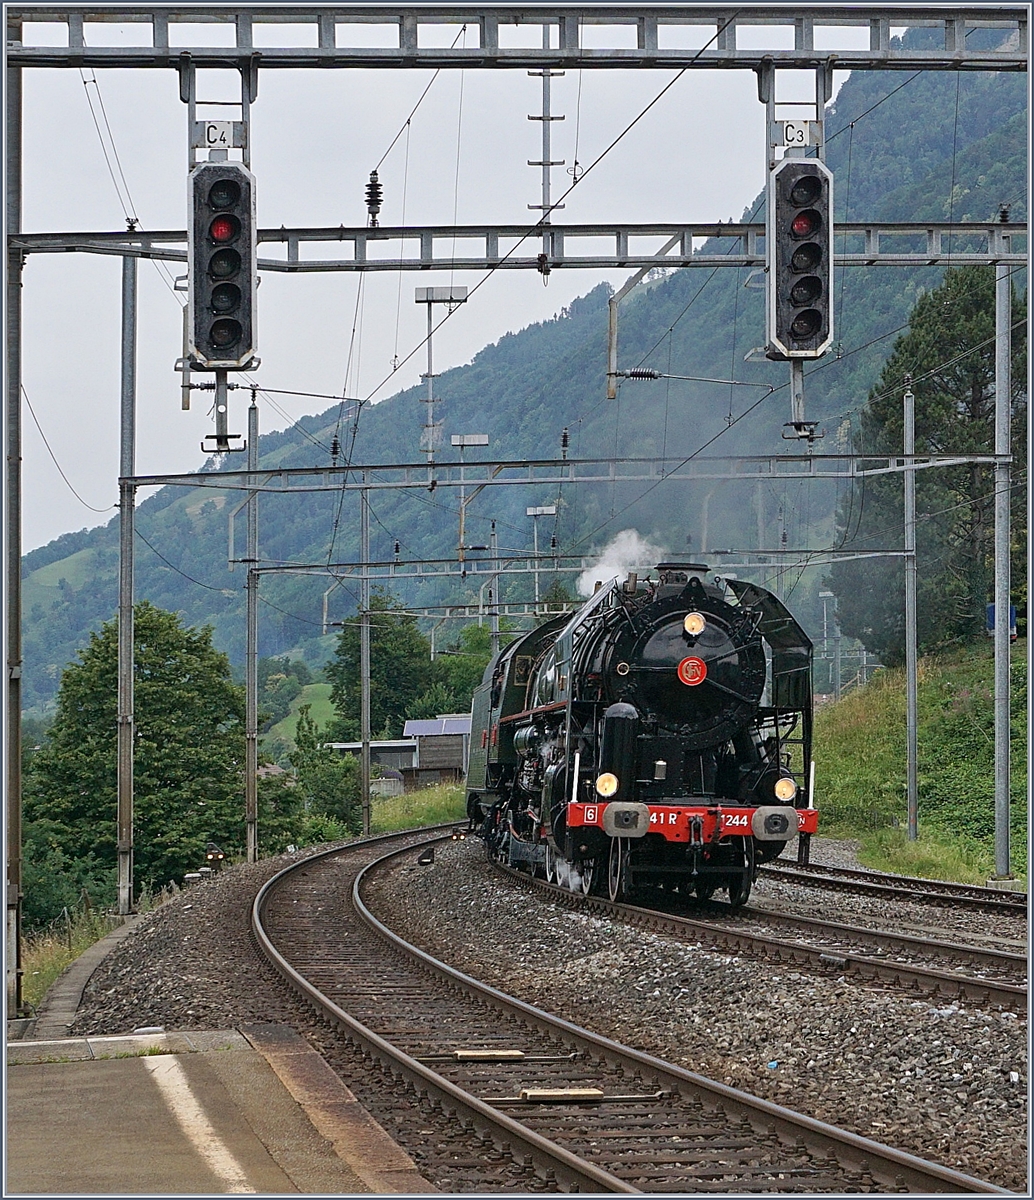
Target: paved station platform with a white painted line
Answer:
pixel 249 1111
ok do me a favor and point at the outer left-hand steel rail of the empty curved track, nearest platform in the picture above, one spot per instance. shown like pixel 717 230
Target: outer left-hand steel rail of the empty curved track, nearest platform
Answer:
pixel 579 1175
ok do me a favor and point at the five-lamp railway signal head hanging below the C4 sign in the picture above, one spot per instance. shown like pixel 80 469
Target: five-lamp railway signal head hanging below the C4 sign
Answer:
pixel 223 257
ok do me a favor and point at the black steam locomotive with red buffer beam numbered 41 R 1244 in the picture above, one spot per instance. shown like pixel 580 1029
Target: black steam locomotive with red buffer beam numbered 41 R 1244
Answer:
pixel 659 737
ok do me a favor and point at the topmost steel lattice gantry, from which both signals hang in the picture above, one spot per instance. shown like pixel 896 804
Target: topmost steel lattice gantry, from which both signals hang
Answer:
pixel 665 37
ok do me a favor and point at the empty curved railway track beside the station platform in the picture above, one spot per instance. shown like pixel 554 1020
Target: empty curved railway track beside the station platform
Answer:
pixel 578 1112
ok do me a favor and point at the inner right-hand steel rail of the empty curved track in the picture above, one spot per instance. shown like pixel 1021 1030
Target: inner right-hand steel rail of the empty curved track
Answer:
pixel 898 1168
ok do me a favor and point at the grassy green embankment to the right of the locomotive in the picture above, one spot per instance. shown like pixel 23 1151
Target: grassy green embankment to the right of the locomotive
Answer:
pixel 861 776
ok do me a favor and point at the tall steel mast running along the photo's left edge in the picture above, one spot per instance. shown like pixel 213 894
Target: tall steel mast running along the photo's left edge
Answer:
pixel 16 262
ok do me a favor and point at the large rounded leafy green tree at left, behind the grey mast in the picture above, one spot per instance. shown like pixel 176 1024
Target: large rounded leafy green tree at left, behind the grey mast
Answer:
pixel 189 757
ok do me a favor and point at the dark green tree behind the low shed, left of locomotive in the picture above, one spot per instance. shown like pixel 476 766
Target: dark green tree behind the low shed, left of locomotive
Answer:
pixel 400 669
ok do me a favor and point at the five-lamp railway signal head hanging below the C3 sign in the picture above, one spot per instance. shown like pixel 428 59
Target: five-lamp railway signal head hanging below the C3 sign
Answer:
pixel 799 250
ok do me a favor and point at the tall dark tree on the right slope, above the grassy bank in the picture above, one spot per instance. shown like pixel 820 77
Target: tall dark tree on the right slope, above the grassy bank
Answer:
pixel 949 353
